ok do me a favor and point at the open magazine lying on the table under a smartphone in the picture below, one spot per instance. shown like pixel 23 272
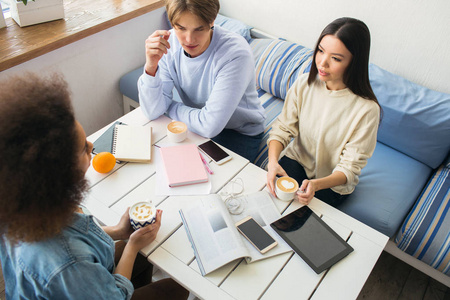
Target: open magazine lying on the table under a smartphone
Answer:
pixel 213 234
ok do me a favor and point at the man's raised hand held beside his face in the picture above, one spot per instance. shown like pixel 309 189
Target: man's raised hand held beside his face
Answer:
pixel 156 45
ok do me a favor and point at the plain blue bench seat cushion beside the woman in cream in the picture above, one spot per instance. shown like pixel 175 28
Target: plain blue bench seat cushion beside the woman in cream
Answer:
pixel 384 206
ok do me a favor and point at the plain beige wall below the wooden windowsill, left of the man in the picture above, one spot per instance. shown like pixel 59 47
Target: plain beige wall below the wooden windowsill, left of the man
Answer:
pixel 94 65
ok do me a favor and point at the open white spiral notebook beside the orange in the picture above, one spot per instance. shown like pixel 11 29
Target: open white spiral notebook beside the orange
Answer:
pixel 132 143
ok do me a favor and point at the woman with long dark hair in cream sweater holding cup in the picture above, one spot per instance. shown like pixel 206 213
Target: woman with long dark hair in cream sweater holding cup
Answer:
pixel 332 114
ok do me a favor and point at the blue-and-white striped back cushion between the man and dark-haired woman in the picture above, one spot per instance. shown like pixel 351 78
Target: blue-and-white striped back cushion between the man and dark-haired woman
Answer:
pixel 278 64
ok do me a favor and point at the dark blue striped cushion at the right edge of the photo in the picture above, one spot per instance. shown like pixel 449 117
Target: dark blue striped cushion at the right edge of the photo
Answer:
pixel 425 232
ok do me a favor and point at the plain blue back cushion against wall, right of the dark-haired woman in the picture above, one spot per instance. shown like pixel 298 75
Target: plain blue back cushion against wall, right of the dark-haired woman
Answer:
pixel 416 120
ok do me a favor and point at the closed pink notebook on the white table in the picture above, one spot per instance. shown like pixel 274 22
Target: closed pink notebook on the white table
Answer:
pixel 183 165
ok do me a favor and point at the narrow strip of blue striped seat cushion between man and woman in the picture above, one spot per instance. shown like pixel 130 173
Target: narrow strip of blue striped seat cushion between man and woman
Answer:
pixel 272 106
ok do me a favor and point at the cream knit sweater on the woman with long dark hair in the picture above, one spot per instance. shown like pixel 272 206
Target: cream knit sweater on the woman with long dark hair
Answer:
pixel 332 130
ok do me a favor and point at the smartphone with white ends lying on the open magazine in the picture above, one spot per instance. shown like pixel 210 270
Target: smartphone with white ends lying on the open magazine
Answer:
pixel 255 234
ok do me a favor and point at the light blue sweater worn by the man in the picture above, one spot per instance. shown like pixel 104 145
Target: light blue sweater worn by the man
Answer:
pixel 218 87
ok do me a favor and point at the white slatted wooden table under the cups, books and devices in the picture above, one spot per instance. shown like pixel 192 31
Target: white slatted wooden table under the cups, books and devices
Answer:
pixel 285 276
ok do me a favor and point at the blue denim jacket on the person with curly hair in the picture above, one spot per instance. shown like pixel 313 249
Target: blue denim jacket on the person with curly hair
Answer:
pixel 76 264
